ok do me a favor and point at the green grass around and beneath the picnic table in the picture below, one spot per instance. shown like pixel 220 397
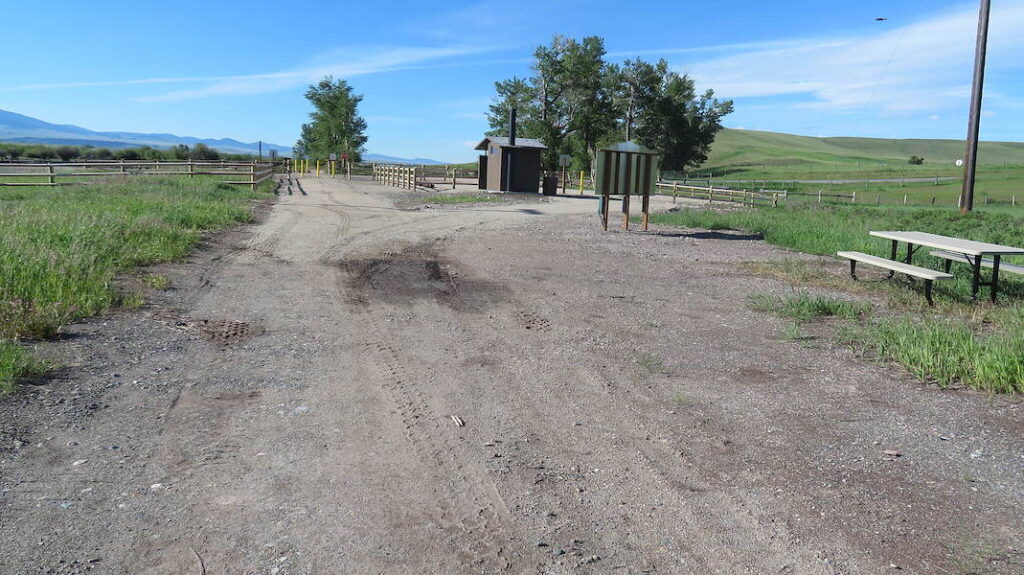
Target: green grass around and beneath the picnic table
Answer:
pixel 959 342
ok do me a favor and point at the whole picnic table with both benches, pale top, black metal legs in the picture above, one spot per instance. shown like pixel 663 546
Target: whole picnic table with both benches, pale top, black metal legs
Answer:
pixel 950 249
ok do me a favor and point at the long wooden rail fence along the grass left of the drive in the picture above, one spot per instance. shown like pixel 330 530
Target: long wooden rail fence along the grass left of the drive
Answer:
pixel 242 173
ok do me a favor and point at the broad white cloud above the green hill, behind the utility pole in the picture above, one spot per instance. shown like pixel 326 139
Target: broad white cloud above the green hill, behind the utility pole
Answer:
pixel 925 67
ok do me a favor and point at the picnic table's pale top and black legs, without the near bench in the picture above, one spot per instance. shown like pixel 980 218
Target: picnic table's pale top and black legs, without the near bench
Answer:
pixel 955 249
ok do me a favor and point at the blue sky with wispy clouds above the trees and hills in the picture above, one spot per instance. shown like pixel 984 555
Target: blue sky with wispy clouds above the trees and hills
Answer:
pixel 239 70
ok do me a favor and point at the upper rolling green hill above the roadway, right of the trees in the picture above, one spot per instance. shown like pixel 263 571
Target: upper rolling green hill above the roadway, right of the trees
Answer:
pixel 747 149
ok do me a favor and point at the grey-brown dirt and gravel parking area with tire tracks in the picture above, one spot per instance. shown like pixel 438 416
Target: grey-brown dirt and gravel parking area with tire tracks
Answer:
pixel 358 385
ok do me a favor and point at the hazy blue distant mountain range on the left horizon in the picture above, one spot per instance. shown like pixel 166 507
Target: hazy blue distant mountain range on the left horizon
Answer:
pixel 19 128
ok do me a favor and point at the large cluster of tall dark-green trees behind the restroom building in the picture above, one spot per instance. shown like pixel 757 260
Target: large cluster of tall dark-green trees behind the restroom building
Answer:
pixel 576 102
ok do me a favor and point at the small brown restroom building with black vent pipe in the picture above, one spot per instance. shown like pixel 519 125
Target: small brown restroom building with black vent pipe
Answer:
pixel 510 166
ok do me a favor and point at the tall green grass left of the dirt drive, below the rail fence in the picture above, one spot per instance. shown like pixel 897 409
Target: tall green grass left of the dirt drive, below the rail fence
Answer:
pixel 62 248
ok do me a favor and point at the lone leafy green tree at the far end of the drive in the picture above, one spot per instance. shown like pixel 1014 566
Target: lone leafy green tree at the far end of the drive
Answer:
pixel 336 125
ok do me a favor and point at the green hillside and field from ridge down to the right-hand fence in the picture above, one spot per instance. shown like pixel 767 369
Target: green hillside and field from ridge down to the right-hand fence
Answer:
pixel 749 160
